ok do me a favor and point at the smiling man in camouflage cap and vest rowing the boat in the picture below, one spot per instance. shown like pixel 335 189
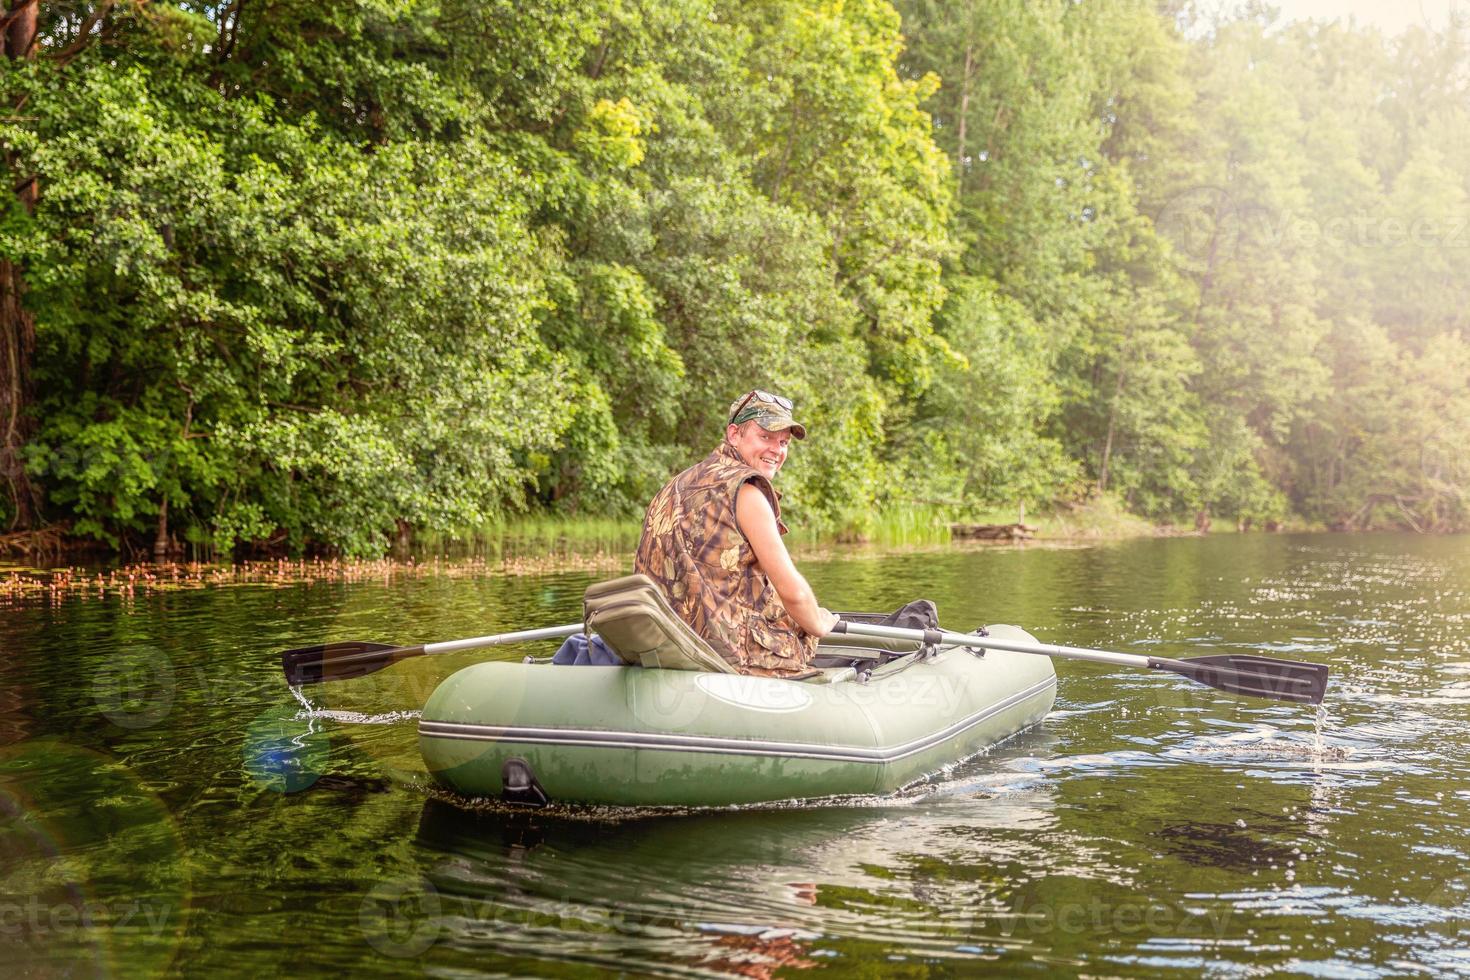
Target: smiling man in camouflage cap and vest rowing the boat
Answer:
pixel 712 543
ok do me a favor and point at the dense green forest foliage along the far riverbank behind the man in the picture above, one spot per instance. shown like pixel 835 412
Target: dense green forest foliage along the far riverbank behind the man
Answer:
pixel 318 274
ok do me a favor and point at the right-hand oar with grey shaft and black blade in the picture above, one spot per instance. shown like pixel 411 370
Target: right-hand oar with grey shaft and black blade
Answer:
pixel 1238 674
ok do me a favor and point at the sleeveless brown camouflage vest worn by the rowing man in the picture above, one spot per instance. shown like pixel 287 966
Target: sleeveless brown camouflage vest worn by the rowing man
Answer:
pixel 693 549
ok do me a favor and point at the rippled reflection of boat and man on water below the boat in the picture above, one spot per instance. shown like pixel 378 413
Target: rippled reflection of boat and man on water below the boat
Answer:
pixel 746 891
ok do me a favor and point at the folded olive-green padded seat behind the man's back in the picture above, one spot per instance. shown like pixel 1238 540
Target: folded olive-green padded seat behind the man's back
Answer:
pixel 637 622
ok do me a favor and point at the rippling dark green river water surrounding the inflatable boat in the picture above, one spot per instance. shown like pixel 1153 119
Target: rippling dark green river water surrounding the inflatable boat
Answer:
pixel 167 806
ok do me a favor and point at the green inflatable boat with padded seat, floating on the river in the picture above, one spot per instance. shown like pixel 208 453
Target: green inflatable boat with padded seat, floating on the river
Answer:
pixel 677 728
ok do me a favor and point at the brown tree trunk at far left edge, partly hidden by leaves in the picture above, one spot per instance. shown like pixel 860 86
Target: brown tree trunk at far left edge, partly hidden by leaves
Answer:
pixel 17 327
